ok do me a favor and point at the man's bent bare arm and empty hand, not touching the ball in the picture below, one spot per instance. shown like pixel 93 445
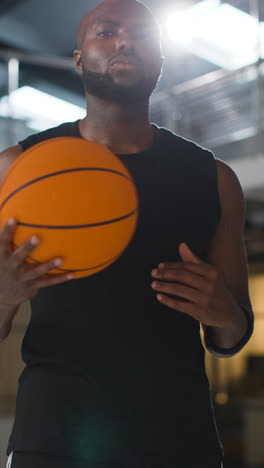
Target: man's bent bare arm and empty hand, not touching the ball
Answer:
pixel 215 290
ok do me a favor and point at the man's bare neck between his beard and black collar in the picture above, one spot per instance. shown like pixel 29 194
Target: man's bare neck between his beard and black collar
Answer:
pixel 122 129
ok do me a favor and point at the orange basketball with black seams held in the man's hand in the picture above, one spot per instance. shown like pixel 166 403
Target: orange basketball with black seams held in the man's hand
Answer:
pixel 77 197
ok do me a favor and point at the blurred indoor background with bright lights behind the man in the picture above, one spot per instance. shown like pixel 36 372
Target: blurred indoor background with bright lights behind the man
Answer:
pixel 212 92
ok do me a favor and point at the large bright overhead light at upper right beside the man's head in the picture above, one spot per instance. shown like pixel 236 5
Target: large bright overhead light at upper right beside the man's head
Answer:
pixel 217 32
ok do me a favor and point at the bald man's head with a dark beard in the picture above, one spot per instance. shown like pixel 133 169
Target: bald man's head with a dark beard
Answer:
pixel 119 52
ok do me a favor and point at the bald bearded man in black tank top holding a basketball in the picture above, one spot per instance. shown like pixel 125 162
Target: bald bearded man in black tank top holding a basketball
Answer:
pixel 114 362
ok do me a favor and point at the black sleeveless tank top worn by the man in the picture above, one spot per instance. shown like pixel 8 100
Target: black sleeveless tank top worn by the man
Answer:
pixel 111 374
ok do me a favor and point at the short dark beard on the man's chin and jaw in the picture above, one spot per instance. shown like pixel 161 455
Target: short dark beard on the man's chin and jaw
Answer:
pixel 103 86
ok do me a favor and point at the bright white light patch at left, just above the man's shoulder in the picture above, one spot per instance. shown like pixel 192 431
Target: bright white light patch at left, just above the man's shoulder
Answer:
pixel 40 109
